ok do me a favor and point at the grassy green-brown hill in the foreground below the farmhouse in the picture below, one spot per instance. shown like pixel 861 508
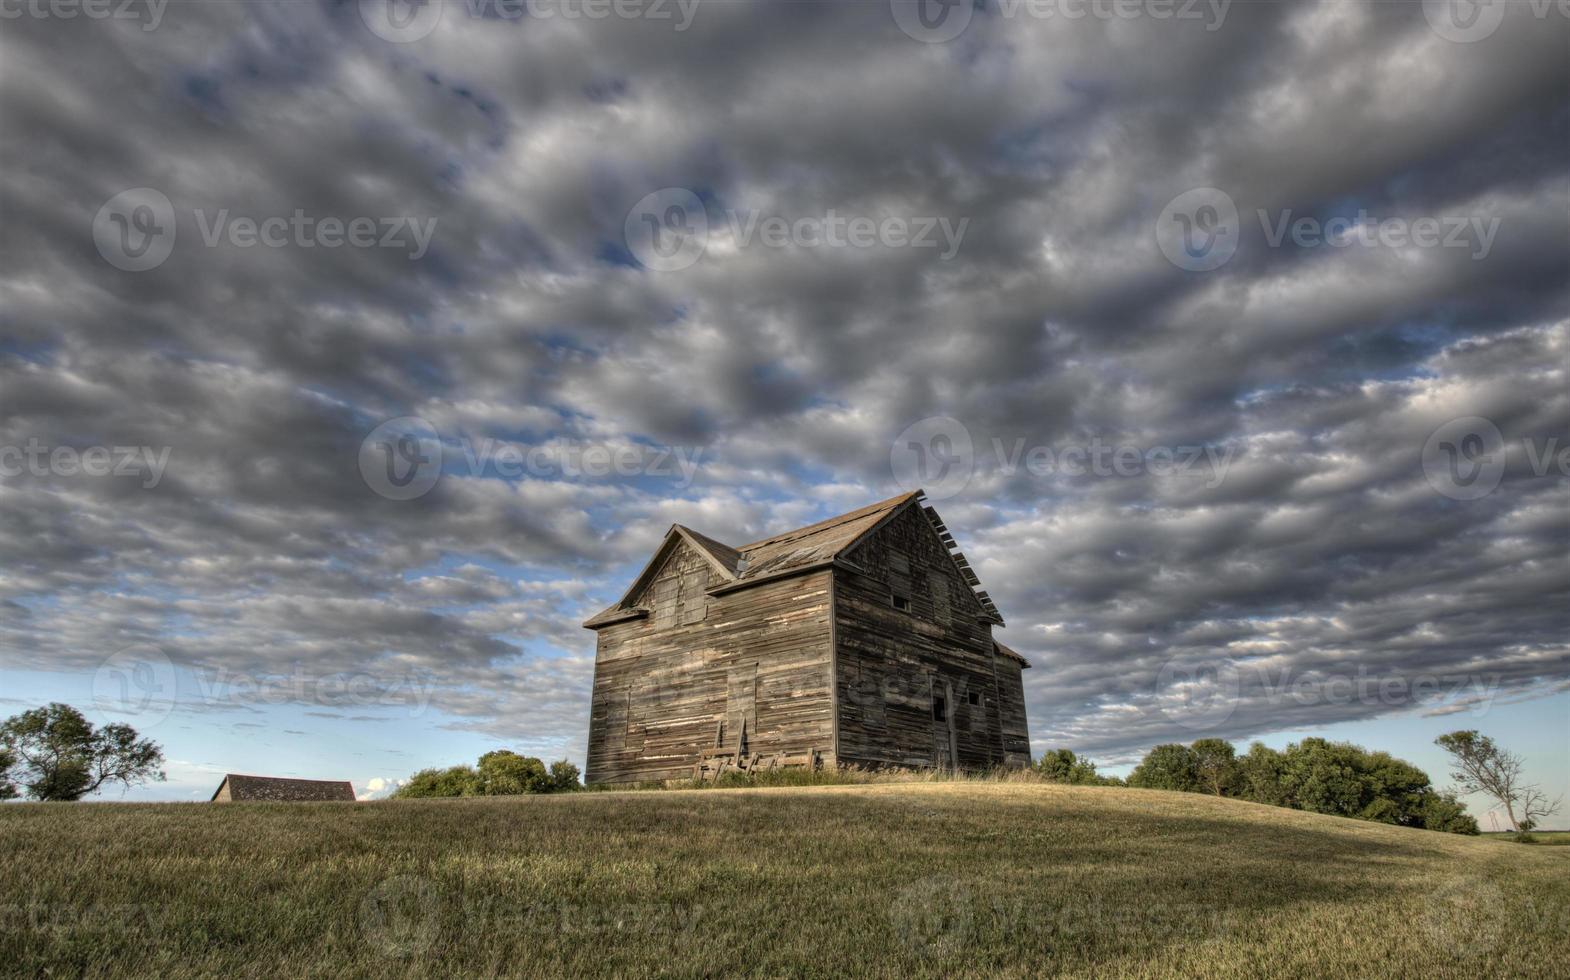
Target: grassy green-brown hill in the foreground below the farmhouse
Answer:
pixel 889 880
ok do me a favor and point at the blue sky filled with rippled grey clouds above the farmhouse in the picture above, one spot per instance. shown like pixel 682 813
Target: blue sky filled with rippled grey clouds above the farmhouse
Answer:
pixel 1229 340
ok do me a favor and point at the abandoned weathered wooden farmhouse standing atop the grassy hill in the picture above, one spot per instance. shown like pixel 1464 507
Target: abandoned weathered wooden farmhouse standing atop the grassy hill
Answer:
pixel 863 640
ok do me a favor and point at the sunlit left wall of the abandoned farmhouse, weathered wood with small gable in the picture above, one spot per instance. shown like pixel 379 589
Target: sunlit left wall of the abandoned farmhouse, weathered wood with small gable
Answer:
pixel 703 670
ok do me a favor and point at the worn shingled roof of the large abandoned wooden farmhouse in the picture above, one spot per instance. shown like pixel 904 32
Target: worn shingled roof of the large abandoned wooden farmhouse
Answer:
pixel 811 547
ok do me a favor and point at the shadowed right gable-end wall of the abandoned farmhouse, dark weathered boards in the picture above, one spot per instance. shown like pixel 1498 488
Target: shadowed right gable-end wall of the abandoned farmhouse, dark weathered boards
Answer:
pixel 896 665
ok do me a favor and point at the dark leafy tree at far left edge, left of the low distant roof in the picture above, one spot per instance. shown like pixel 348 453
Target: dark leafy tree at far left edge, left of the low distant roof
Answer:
pixel 60 756
